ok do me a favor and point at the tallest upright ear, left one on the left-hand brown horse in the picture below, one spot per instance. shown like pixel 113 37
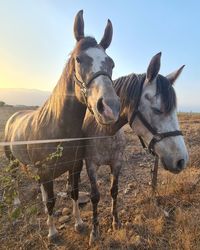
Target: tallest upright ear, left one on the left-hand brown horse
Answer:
pixel 79 26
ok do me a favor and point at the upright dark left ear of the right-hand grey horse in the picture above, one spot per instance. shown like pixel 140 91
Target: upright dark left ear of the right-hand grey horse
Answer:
pixel 153 68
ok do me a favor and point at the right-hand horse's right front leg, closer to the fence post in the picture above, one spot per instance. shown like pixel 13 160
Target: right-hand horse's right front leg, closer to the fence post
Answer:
pixel 115 171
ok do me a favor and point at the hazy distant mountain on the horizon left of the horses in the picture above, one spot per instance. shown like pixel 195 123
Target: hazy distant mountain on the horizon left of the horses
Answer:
pixel 28 97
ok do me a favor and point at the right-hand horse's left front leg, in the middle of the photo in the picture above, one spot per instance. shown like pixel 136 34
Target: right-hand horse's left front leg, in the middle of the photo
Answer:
pixel 95 197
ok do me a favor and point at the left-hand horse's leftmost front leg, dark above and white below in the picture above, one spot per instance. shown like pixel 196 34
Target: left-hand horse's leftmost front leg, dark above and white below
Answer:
pixel 49 199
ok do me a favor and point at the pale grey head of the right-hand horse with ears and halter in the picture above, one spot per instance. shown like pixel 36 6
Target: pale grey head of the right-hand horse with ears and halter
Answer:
pixel 157 108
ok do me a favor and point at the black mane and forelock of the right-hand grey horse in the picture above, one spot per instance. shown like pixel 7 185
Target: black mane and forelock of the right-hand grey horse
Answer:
pixel 128 88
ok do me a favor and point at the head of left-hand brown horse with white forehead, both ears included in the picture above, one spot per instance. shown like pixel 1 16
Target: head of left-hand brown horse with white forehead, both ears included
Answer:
pixel 92 73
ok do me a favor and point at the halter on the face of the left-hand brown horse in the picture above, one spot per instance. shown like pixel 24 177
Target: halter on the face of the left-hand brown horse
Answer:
pixel 85 85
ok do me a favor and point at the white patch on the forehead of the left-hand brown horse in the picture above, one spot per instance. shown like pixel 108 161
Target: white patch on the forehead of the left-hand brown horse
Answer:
pixel 98 56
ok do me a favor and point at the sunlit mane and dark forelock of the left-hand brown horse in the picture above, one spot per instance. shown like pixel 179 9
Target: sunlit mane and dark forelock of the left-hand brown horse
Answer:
pixel 64 89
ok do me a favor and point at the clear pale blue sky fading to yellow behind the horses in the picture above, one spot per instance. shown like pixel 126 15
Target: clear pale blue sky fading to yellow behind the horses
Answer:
pixel 36 37
